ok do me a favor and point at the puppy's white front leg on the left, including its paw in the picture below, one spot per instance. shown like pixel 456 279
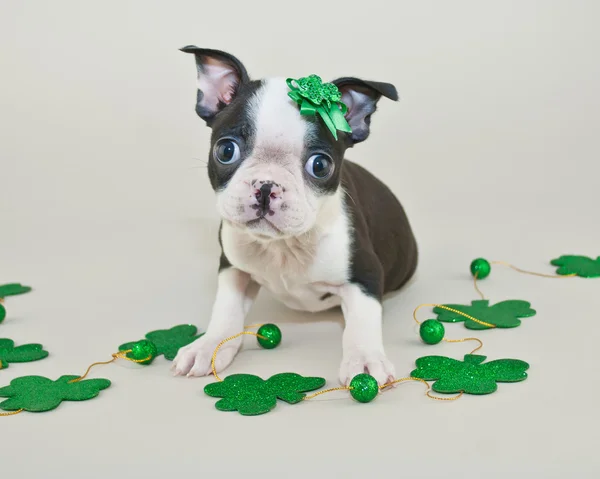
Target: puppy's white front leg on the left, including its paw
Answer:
pixel 235 294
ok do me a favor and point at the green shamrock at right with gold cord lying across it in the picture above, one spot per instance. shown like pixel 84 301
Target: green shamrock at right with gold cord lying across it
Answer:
pixel 505 314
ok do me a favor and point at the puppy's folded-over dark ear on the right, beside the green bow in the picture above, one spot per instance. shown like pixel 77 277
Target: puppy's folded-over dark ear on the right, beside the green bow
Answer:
pixel 361 97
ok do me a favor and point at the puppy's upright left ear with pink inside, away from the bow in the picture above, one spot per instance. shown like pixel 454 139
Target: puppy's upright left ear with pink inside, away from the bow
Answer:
pixel 219 77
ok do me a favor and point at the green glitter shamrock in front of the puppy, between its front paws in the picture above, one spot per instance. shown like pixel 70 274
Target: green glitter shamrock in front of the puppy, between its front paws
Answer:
pixel 251 395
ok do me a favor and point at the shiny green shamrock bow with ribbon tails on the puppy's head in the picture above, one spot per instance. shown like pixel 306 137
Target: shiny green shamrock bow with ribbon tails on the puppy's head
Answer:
pixel 314 97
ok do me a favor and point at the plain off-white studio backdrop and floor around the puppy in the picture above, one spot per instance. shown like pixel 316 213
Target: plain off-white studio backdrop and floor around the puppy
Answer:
pixel 105 208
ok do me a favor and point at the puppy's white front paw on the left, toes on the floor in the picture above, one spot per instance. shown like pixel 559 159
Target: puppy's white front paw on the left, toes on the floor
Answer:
pixel 195 358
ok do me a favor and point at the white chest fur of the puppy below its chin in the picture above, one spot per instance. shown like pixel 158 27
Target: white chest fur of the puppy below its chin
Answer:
pixel 297 271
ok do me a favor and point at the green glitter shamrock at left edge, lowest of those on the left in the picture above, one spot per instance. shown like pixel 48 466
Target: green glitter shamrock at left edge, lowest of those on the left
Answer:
pixel 39 394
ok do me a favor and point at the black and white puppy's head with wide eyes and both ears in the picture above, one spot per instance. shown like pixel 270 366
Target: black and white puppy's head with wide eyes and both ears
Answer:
pixel 274 170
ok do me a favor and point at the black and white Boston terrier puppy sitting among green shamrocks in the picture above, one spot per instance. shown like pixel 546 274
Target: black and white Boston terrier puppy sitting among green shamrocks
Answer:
pixel 298 219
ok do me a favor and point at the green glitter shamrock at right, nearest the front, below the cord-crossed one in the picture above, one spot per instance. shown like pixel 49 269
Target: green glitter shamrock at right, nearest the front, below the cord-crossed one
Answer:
pixel 469 376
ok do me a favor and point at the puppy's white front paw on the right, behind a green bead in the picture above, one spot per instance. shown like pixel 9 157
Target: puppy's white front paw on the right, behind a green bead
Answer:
pixel 373 362
